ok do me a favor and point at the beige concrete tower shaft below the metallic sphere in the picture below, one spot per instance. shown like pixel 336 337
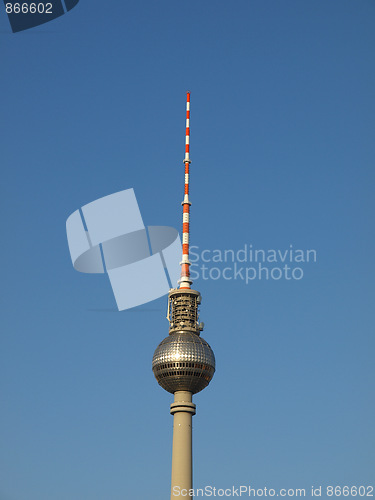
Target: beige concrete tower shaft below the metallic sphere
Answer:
pixel 182 460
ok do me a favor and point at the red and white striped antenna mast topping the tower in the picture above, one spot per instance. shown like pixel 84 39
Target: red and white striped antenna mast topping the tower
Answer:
pixel 185 280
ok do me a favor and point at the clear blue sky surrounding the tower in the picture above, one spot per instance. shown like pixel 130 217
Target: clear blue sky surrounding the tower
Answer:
pixel 282 126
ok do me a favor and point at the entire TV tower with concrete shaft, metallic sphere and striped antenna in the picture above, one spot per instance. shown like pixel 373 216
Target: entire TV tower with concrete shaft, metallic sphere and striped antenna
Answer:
pixel 183 362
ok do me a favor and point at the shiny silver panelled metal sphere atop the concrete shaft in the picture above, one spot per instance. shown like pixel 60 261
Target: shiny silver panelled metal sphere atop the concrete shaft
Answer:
pixel 183 361
